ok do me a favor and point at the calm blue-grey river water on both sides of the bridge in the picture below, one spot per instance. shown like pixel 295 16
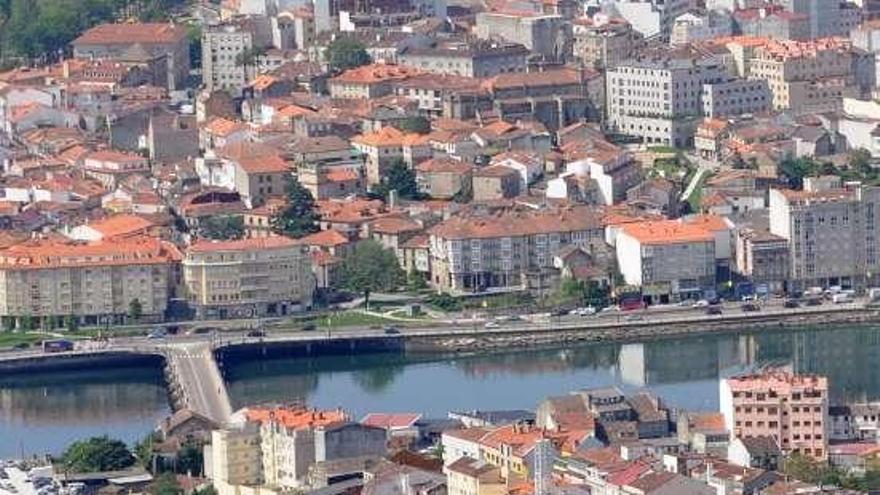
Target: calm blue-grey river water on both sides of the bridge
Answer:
pixel 45 412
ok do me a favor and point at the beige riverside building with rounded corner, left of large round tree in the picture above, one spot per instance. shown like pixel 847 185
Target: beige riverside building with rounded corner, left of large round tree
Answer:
pixel 248 277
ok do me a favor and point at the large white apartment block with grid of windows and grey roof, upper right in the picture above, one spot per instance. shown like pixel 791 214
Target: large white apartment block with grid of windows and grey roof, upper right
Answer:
pixel 658 96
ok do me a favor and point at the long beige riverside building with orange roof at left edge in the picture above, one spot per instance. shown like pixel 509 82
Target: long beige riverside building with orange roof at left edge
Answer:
pixel 92 281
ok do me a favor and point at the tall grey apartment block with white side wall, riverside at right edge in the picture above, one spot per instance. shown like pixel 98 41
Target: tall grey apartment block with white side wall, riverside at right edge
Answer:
pixel 831 230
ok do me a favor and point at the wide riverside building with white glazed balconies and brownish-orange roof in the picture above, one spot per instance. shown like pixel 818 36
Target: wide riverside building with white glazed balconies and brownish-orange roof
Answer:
pixel 508 248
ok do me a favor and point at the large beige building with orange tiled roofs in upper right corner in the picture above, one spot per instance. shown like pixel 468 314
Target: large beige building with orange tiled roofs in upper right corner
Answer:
pixel 806 76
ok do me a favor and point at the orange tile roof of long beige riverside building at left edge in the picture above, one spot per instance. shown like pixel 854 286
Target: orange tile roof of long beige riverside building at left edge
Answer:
pixel 42 254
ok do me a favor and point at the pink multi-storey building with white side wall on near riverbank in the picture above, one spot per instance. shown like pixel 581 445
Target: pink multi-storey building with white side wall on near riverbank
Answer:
pixel 792 409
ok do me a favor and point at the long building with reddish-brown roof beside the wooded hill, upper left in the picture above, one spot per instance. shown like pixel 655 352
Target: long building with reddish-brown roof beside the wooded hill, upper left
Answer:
pixel 163 45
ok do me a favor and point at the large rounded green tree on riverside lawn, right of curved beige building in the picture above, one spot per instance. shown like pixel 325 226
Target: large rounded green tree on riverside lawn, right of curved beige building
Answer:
pixel 370 269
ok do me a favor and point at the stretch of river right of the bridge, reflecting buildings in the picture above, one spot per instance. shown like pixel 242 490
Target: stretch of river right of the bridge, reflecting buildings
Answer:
pixel 686 370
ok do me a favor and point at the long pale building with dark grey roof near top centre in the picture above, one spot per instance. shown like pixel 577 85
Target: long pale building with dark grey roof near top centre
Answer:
pixel 479 59
